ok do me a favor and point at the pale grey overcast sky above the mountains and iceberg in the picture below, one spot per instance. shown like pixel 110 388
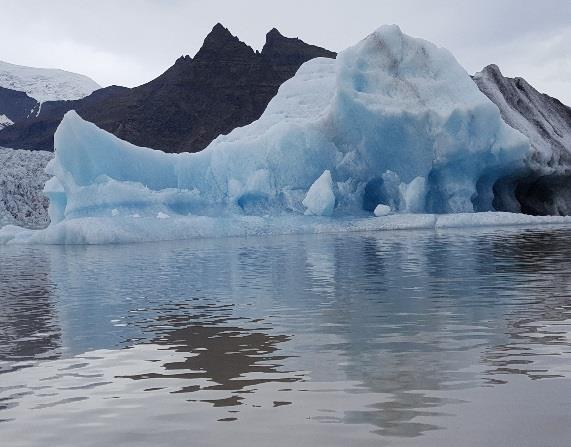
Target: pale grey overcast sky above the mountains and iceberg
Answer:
pixel 129 42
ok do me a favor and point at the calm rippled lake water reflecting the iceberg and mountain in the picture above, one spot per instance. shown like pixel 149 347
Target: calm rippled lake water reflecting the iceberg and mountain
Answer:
pixel 398 339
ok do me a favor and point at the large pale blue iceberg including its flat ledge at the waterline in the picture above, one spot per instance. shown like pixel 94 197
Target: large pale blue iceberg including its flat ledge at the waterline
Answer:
pixel 394 121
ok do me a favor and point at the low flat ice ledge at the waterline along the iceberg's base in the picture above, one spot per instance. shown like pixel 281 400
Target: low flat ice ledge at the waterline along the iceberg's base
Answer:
pixel 122 229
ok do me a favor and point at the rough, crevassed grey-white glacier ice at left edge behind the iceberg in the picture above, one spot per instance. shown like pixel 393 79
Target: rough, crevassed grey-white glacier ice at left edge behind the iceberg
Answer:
pixel 22 179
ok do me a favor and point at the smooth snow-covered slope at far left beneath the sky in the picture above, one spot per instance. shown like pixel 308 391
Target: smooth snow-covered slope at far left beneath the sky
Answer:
pixel 44 84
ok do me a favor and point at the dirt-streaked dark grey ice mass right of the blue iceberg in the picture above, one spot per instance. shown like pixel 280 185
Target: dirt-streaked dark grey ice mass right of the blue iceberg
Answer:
pixel 545 188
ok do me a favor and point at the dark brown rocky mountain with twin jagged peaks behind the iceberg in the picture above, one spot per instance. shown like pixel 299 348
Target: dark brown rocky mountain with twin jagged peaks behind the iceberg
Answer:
pixel 226 85
